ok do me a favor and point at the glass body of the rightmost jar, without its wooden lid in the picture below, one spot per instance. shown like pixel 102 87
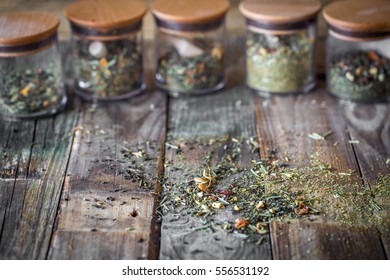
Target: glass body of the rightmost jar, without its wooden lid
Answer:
pixel 358 70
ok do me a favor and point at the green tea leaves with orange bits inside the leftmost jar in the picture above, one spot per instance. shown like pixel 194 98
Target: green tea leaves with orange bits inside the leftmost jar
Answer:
pixel 29 91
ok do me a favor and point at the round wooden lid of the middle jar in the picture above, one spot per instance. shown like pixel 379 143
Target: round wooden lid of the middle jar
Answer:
pixel 184 11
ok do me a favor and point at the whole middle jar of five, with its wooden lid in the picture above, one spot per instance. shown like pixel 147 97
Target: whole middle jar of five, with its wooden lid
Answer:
pixel 189 44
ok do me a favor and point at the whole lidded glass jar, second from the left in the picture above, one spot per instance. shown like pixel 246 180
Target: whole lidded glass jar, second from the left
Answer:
pixel 107 45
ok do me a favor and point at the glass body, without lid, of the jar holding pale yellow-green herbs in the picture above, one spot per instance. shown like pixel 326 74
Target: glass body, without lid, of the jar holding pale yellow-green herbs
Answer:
pixel 281 61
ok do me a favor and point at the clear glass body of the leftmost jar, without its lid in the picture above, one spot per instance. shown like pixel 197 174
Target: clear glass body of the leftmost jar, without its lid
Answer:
pixel 31 85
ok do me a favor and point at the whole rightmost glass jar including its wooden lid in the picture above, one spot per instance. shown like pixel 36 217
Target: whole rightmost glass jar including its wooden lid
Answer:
pixel 358 50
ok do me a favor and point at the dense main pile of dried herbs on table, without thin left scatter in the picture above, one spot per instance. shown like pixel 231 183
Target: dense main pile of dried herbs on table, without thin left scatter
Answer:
pixel 225 194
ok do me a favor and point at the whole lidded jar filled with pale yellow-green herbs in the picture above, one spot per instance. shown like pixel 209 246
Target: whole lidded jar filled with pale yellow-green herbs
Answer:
pixel 280 45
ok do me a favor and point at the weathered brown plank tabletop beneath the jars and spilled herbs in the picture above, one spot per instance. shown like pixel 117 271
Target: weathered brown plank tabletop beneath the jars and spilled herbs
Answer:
pixel 64 192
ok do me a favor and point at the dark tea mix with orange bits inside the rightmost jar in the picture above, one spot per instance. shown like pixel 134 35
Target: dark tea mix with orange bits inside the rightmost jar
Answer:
pixel 360 75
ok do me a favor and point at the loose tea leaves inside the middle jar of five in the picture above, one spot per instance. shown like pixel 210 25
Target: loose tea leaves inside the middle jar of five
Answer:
pixel 196 73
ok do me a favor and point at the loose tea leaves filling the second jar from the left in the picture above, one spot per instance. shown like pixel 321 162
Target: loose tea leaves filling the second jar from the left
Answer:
pixel 108 69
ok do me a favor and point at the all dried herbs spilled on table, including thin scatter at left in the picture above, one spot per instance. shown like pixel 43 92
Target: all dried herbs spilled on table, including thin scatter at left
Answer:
pixel 234 191
